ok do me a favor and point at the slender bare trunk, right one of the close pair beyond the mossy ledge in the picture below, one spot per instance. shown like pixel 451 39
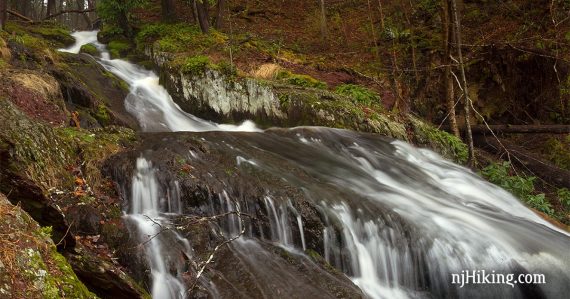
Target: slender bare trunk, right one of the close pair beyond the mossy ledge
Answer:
pixel 467 105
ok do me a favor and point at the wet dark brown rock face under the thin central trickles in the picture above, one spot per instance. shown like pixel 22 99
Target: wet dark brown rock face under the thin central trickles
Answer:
pixel 201 170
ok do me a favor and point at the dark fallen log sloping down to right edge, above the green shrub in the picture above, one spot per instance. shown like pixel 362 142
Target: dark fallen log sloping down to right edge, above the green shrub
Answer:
pixel 529 161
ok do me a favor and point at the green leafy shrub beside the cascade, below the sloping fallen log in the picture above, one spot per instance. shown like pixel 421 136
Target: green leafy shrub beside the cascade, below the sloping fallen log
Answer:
pixel 520 186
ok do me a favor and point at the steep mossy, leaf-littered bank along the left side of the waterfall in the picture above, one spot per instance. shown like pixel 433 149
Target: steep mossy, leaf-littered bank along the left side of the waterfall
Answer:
pixel 52 171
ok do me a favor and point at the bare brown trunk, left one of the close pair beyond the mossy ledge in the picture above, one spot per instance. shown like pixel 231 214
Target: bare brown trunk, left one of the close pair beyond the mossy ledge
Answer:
pixel 448 81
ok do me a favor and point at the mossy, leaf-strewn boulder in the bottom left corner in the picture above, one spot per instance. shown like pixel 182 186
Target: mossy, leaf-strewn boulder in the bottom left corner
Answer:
pixel 30 266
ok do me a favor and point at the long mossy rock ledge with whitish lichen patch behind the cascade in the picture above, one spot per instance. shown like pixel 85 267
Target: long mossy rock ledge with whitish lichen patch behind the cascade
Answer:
pixel 225 98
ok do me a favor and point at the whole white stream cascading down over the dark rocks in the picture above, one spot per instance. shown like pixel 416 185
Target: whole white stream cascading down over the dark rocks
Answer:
pixel 397 220
